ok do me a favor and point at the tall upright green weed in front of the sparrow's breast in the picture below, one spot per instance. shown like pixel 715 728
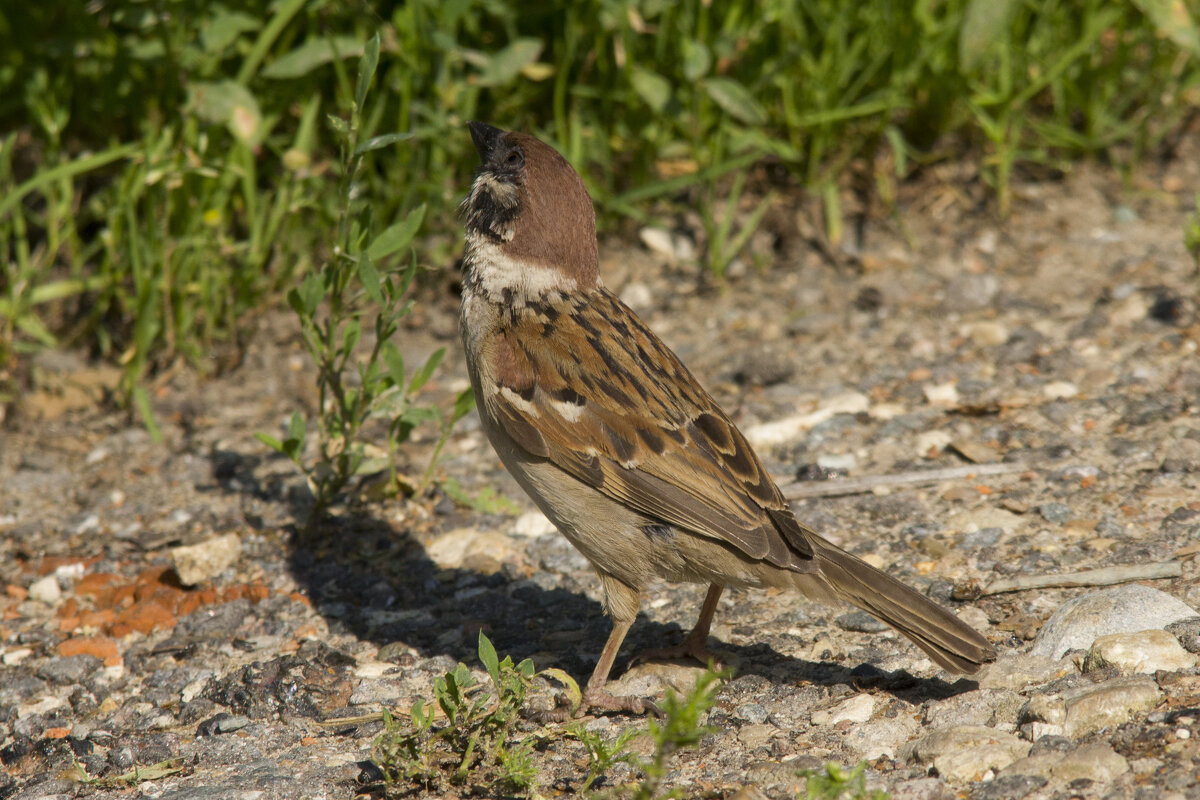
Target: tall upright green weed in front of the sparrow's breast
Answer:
pixel 335 305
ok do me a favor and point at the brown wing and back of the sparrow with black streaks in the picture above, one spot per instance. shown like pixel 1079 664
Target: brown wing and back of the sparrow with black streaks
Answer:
pixel 604 400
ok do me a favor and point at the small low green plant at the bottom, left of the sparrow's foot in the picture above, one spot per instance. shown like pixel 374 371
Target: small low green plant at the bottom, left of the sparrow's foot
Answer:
pixel 477 743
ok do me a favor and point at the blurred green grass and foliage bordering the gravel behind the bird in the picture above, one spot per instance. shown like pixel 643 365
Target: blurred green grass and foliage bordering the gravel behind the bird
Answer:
pixel 167 166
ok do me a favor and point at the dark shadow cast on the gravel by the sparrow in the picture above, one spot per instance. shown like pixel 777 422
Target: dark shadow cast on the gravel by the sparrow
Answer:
pixel 375 581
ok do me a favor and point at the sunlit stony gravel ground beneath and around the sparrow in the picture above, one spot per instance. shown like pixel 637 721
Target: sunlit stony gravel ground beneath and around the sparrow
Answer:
pixel 160 607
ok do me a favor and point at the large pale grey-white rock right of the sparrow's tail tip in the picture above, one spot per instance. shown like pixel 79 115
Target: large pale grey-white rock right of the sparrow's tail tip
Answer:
pixel 1124 610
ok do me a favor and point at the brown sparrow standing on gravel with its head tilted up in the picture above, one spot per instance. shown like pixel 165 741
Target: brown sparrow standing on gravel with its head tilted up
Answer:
pixel 617 443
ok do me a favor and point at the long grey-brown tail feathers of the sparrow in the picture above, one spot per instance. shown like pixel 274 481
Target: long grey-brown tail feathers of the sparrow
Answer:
pixel 951 643
